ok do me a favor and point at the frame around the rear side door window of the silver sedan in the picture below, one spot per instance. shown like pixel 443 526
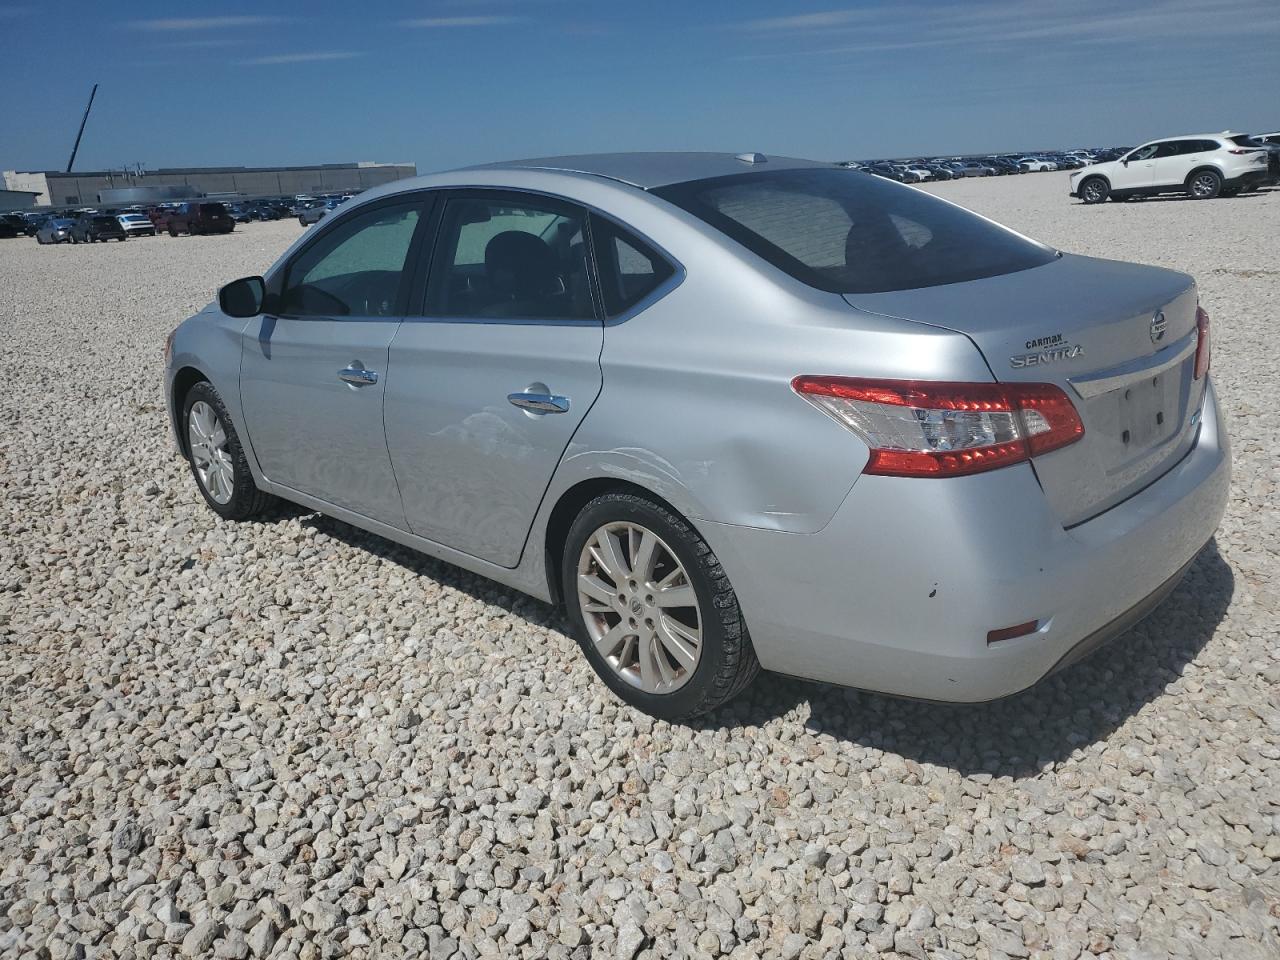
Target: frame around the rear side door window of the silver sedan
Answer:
pixel 423 275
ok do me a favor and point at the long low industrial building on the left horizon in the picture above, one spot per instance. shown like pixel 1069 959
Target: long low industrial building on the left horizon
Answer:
pixel 65 190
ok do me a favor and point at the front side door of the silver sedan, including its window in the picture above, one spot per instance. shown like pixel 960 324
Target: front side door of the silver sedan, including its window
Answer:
pixel 314 367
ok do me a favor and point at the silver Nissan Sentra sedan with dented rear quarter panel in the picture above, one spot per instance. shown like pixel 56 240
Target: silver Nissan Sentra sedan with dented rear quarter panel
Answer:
pixel 734 413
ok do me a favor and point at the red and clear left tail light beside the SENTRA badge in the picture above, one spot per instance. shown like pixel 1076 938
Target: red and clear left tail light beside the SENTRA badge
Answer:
pixel 927 428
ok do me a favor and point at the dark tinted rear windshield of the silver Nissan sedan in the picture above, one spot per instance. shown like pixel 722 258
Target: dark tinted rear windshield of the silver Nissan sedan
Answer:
pixel 852 232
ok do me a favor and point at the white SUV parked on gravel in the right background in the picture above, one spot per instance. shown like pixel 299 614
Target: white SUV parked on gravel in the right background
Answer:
pixel 1203 166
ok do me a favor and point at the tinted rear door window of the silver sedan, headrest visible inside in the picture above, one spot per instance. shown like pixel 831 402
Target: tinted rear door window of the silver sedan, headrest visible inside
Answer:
pixel 522 258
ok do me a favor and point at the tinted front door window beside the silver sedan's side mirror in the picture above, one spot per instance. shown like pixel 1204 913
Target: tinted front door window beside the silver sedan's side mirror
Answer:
pixel 355 268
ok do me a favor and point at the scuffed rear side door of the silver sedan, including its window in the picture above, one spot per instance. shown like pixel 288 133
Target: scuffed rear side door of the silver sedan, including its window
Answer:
pixel 488 386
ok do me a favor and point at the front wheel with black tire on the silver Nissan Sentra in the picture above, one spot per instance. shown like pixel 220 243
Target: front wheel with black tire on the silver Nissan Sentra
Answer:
pixel 217 458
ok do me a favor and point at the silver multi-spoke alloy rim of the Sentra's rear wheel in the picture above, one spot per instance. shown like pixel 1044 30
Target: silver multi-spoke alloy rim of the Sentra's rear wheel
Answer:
pixel 641 609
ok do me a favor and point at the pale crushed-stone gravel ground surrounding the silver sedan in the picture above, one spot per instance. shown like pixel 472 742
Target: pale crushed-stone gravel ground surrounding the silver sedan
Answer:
pixel 295 740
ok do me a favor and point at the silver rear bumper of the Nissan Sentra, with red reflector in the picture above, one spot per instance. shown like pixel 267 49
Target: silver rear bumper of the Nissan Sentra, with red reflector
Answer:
pixel 899 592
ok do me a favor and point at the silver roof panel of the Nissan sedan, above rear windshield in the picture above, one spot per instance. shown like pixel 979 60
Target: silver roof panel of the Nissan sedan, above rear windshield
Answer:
pixel 656 170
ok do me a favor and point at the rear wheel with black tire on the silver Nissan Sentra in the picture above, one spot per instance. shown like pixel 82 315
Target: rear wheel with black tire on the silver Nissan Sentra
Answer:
pixel 700 682
